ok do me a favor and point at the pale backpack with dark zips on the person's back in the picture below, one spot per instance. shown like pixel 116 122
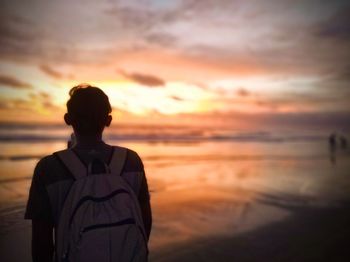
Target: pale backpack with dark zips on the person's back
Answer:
pixel 101 218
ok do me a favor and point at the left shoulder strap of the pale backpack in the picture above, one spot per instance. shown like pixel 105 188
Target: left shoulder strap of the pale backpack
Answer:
pixel 72 162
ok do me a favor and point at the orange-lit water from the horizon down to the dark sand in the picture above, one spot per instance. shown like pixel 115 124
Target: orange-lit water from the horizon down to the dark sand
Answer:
pixel 204 181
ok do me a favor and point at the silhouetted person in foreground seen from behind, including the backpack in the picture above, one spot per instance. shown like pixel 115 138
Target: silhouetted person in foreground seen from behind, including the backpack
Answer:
pixel 92 198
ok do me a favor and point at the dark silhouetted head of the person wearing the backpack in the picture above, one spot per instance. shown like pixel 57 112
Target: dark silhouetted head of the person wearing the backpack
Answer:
pixel 88 110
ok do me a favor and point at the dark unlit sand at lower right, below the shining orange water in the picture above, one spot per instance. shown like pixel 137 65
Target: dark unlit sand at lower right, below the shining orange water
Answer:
pixel 309 234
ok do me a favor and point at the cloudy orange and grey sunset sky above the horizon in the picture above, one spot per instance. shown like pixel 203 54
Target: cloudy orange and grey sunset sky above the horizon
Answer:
pixel 179 61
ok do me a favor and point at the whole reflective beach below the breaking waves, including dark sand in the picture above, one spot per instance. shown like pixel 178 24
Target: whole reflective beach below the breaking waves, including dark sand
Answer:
pixel 251 199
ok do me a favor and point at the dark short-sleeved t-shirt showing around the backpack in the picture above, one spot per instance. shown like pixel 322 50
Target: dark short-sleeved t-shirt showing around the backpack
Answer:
pixel 52 180
